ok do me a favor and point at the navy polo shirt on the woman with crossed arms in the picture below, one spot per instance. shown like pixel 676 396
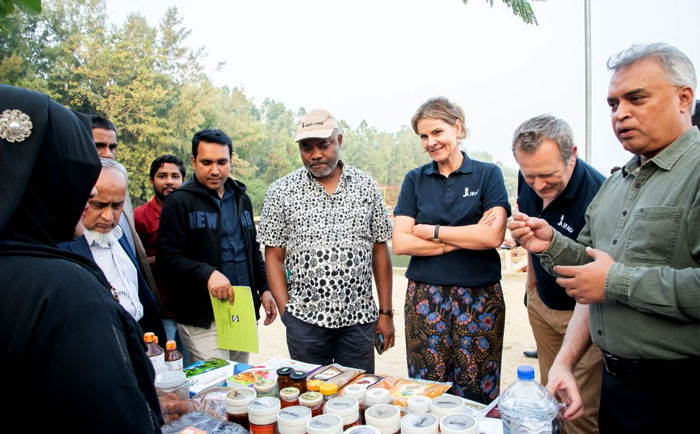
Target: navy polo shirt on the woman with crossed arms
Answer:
pixel 458 200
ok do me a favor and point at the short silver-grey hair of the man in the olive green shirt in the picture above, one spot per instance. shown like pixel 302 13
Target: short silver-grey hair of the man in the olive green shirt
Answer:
pixel 678 67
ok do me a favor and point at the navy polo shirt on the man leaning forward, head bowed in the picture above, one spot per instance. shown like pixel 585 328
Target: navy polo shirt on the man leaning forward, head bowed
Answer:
pixel 567 214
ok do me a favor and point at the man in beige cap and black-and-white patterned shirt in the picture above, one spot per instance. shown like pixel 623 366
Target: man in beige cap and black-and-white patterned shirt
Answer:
pixel 326 224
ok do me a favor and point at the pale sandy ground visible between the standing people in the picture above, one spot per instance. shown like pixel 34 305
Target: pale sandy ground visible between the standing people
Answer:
pixel 518 335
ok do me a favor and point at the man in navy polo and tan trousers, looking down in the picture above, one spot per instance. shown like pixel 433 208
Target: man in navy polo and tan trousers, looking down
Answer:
pixel 556 186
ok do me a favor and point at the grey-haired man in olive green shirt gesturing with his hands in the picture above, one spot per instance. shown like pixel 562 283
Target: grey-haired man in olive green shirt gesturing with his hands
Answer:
pixel 635 268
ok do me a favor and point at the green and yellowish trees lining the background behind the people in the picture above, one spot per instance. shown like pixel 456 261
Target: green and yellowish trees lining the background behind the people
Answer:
pixel 151 85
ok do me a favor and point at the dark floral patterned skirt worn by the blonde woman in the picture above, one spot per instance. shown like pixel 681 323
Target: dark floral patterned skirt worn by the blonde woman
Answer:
pixel 456 334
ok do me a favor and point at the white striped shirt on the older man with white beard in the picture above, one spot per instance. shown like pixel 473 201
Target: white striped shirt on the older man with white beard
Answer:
pixel 118 268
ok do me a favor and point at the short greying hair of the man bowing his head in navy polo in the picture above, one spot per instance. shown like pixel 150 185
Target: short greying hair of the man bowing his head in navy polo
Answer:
pixel 530 134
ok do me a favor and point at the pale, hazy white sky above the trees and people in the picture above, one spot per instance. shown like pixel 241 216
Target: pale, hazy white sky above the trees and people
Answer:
pixel 378 60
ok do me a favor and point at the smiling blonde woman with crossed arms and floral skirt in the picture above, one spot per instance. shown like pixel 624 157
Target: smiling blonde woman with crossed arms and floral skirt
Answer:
pixel 450 217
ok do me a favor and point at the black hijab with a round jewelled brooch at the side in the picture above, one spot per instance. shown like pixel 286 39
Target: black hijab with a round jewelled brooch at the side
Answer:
pixel 48 175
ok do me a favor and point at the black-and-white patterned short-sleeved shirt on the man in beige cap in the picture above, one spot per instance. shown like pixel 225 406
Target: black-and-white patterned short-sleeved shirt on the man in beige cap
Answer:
pixel 328 240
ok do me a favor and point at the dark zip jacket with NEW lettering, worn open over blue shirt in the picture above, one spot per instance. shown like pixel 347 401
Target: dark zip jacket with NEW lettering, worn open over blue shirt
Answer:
pixel 189 248
